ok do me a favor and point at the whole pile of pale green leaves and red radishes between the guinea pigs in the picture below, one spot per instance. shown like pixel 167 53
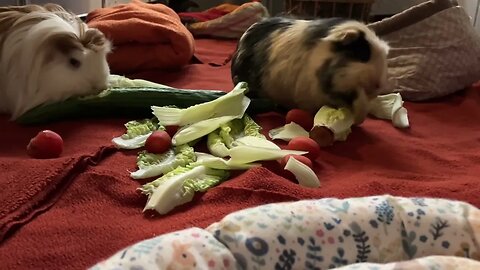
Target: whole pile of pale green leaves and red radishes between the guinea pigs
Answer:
pixel 234 142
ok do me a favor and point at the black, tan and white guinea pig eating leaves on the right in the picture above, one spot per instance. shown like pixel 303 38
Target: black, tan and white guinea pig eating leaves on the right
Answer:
pixel 307 64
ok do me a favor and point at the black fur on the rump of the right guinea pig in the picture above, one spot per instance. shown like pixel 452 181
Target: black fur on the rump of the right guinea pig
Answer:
pixel 251 55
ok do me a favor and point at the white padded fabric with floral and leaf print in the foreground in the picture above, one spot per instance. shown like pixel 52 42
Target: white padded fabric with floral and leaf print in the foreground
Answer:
pixel 378 232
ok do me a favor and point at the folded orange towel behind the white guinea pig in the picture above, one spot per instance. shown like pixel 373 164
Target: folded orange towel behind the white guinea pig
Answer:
pixel 145 36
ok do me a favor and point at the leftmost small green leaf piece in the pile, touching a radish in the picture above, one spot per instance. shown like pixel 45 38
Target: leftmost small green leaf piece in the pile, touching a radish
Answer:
pixel 137 132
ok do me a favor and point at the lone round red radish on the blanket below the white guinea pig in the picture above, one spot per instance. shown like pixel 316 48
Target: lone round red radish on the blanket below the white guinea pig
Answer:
pixel 46 144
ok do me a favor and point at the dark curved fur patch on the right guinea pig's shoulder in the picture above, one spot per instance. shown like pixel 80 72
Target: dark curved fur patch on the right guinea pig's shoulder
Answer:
pixel 325 76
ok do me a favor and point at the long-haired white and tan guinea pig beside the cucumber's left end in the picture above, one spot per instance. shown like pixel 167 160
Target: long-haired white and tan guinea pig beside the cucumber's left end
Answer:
pixel 48 55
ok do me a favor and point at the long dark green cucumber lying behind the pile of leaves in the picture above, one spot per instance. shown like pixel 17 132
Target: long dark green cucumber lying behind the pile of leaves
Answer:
pixel 132 102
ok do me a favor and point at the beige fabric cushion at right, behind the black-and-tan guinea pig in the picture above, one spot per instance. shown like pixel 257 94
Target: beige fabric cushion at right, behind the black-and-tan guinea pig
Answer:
pixel 433 57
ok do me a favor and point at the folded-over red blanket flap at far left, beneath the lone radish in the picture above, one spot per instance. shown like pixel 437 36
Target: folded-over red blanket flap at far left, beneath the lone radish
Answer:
pixel 31 186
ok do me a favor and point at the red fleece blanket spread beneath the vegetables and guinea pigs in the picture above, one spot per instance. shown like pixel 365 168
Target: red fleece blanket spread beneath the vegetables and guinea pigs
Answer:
pixel 81 208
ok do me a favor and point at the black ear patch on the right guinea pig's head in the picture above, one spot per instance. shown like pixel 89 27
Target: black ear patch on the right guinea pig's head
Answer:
pixel 357 50
